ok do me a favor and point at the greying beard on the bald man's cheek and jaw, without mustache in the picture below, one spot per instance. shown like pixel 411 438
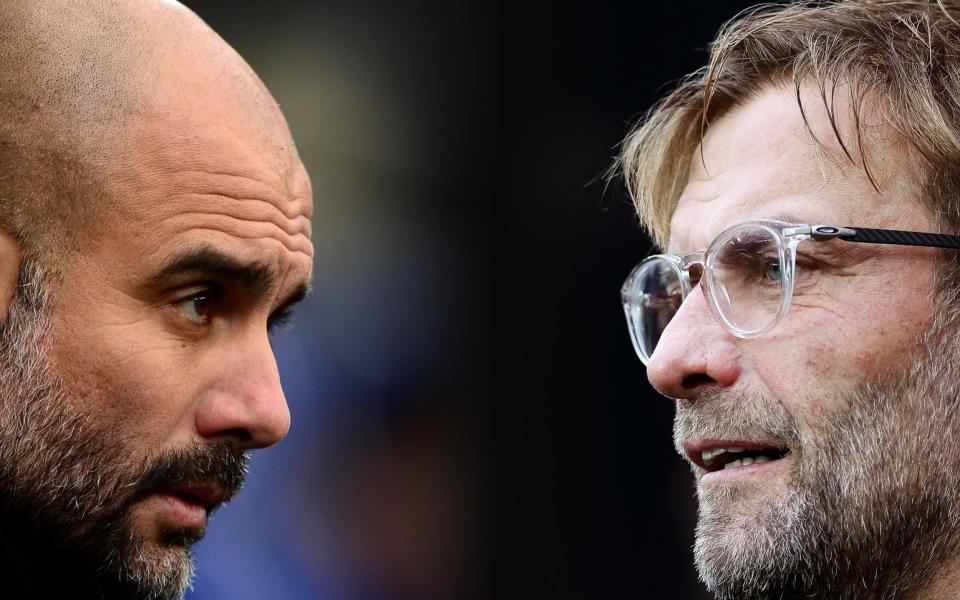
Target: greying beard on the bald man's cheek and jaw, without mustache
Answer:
pixel 67 472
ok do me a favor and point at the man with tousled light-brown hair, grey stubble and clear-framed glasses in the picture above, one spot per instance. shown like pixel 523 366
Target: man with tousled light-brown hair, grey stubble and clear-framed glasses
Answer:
pixel 804 313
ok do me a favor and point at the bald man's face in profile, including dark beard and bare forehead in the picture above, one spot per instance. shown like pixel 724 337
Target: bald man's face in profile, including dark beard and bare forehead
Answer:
pixel 136 380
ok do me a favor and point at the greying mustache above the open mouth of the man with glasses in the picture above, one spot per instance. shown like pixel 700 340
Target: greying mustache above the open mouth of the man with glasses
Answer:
pixel 723 414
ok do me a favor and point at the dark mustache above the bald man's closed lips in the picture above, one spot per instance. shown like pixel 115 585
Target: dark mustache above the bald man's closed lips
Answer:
pixel 219 463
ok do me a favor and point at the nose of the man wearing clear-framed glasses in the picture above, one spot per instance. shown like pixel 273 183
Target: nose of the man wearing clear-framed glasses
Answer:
pixel 694 352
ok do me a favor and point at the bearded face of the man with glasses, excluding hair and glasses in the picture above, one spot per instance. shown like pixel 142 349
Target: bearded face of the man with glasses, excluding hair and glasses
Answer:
pixel 843 399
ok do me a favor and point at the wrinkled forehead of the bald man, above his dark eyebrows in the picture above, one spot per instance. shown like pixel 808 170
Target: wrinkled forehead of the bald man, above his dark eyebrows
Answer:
pixel 189 183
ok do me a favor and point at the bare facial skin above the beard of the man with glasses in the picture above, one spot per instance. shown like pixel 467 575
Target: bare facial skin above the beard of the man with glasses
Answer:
pixel 752 175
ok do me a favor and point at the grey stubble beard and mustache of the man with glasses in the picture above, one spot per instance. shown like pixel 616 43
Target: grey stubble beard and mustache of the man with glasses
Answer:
pixel 871 504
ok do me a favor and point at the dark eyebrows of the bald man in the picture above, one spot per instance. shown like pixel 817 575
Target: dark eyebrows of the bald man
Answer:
pixel 207 261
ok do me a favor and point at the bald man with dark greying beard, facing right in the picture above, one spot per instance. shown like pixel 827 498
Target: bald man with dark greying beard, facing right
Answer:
pixel 154 223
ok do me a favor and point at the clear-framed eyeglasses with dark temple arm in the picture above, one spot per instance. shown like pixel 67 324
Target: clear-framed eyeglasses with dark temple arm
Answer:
pixel 747 276
